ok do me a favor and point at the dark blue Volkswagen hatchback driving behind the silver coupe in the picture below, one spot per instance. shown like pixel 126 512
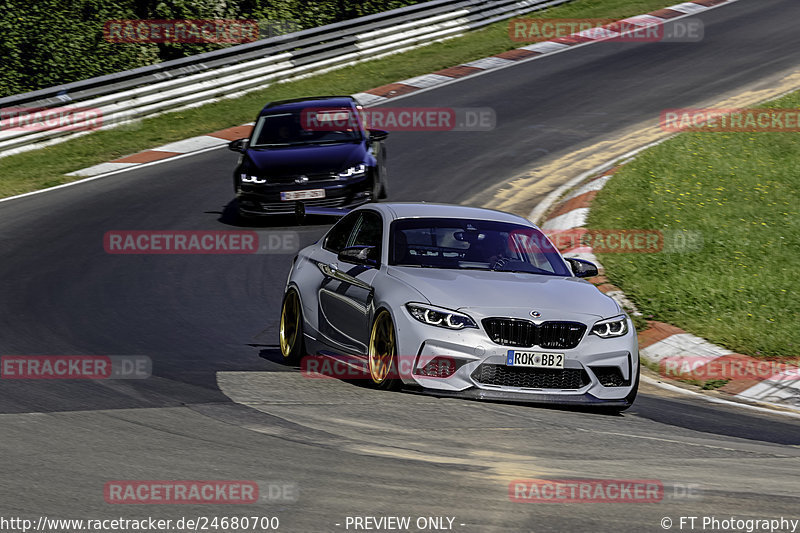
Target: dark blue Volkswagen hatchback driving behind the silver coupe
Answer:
pixel 311 150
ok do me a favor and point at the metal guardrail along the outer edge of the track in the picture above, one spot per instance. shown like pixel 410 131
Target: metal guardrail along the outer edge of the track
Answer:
pixel 148 91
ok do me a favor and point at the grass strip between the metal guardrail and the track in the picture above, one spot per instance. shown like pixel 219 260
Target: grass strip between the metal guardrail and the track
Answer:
pixel 46 167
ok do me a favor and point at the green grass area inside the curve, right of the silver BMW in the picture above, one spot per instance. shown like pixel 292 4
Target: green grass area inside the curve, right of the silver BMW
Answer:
pixel 741 192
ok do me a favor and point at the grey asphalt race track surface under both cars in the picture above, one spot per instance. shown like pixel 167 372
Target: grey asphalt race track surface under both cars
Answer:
pixel 222 406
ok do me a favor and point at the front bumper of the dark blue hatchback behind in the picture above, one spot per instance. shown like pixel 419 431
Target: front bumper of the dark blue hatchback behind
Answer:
pixel 261 200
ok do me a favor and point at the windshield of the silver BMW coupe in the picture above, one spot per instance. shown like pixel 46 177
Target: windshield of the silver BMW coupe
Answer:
pixel 474 244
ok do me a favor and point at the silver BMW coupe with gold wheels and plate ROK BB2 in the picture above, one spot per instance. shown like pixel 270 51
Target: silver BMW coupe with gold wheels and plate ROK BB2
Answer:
pixel 457 301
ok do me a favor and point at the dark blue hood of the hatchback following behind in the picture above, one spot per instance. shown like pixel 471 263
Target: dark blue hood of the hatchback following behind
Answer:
pixel 292 160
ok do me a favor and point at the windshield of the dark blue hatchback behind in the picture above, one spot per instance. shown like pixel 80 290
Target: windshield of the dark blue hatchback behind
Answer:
pixel 291 128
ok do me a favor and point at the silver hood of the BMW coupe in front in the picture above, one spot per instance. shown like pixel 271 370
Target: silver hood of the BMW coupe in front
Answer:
pixel 487 290
